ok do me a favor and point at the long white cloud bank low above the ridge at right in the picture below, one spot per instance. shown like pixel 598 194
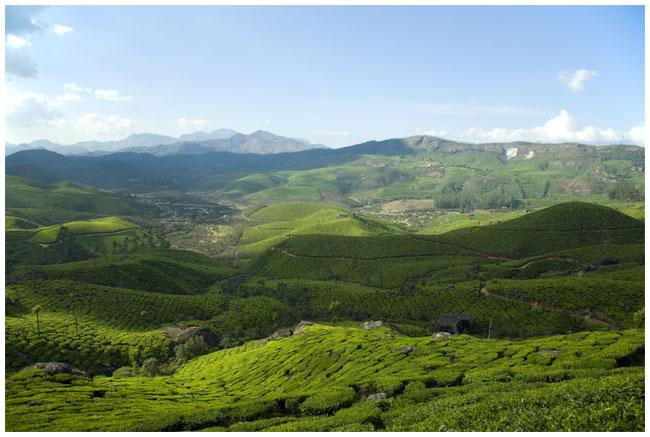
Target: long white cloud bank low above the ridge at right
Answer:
pixel 561 128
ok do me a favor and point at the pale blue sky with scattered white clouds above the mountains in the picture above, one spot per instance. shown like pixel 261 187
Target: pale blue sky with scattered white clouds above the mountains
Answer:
pixel 332 75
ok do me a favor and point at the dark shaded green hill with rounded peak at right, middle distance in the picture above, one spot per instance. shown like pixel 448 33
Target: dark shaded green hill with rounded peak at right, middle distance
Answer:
pixel 390 261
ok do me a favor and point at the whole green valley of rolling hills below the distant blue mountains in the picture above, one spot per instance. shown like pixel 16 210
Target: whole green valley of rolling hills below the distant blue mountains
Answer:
pixel 413 284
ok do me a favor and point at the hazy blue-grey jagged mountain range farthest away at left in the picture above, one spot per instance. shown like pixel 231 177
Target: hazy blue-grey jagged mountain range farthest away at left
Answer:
pixel 227 140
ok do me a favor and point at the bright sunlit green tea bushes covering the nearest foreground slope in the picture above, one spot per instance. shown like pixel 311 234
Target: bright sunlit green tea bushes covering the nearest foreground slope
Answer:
pixel 317 381
